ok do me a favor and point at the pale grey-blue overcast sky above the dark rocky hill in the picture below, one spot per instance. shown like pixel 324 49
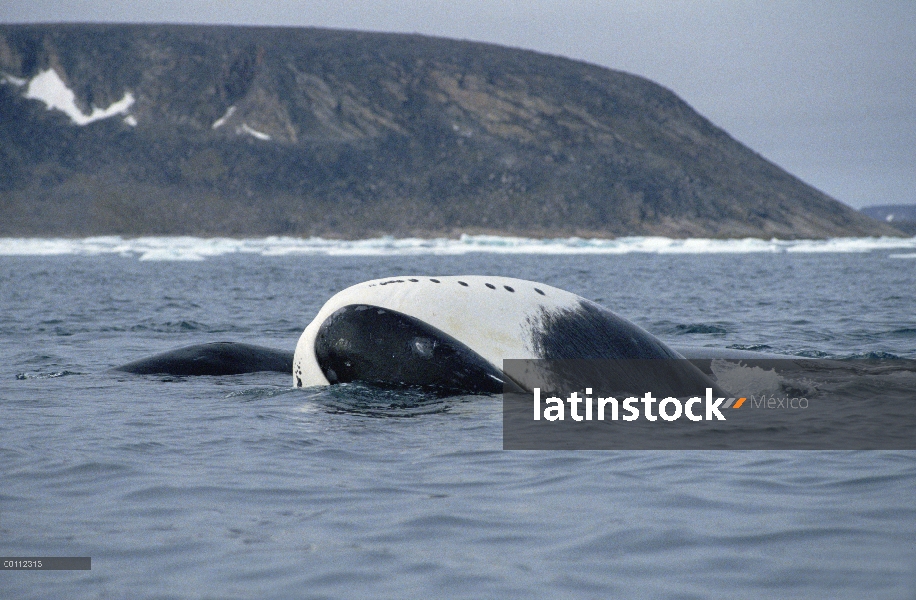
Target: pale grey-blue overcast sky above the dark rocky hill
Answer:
pixel 826 90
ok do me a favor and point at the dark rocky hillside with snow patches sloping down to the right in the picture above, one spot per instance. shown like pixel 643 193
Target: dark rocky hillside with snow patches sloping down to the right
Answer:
pixel 226 130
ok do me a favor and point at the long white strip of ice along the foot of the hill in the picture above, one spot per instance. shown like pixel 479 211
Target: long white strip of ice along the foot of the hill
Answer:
pixel 197 249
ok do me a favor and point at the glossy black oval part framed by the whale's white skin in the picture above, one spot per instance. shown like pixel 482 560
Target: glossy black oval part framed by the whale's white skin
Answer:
pixel 383 347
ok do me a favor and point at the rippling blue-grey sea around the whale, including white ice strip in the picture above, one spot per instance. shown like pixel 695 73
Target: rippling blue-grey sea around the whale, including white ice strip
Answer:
pixel 243 486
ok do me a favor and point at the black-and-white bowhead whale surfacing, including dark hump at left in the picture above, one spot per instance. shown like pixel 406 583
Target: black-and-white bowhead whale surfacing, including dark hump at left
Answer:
pixel 450 333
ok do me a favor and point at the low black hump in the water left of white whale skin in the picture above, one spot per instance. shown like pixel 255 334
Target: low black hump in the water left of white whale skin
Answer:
pixel 217 358
